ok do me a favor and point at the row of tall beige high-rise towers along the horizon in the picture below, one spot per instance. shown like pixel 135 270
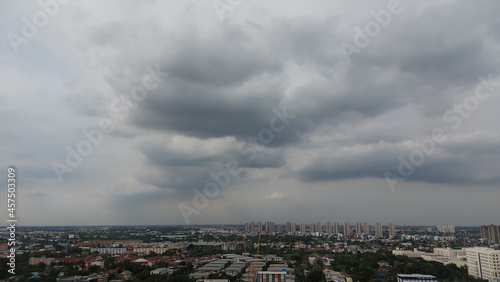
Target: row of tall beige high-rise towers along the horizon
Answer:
pixel 329 228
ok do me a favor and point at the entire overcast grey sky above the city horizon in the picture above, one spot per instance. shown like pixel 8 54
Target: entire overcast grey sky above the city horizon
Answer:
pixel 230 111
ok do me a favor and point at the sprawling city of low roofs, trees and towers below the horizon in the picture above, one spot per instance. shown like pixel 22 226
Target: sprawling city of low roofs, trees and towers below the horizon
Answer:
pixel 255 251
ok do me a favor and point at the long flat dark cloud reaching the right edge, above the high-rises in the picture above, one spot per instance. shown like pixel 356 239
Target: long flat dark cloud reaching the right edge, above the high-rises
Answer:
pixel 461 161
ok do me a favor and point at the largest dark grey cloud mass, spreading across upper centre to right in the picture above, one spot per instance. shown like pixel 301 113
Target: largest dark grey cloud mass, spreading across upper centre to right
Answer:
pixel 214 90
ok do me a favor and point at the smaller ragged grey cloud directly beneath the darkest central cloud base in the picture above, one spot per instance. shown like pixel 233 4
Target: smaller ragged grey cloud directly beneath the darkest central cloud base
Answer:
pixel 182 170
